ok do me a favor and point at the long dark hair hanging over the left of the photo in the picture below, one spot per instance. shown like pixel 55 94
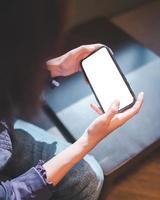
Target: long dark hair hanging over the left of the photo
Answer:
pixel 30 31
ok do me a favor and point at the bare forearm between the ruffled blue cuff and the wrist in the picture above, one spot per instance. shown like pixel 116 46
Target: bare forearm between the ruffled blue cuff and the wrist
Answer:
pixel 57 167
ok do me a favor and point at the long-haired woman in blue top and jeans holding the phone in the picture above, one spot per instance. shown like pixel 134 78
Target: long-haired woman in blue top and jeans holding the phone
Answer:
pixel 46 169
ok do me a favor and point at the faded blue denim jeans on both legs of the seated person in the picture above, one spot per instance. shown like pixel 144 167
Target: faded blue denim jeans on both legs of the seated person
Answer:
pixel 31 144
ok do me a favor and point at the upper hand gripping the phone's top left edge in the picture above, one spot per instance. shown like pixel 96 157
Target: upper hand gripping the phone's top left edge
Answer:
pixel 69 63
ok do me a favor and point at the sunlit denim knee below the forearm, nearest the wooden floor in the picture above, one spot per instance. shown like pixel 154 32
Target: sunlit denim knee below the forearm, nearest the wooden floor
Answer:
pixel 83 182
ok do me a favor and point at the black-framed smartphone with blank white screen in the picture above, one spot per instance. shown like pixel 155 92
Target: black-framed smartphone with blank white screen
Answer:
pixel 107 80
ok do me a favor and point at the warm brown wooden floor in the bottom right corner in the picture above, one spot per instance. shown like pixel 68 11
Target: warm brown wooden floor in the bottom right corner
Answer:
pixel 143 183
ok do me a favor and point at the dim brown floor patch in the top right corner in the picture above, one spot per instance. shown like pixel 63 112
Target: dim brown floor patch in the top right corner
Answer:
pixel 143 24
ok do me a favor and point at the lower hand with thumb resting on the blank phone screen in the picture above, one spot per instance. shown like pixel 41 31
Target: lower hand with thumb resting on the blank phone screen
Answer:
pixel 108 122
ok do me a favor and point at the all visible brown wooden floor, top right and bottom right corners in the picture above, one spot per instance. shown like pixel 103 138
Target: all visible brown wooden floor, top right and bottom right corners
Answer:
pixel 142 183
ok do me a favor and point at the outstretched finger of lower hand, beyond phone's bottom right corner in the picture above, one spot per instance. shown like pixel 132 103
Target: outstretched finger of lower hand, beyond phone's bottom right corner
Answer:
pixel 128 114
